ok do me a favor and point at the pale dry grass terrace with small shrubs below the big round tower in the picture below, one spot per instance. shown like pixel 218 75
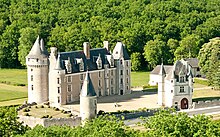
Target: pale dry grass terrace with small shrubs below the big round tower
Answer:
pixel 40 112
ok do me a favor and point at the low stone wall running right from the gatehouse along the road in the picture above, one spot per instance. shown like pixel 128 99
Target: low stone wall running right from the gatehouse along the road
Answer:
pixel 203 104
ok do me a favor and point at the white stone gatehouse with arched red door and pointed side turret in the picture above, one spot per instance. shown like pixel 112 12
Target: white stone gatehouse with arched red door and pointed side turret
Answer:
pixel 175 86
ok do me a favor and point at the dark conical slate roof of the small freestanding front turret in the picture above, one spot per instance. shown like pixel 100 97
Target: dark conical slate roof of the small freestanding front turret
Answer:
pixel 87 88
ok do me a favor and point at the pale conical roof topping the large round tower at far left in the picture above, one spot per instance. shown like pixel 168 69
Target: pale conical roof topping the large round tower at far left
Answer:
pixel 36 51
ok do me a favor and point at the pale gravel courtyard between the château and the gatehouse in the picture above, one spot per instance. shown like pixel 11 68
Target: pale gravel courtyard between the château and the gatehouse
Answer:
pixel 133 101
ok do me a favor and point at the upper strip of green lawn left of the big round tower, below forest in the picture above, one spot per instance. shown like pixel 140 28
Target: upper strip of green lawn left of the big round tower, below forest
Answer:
pixel 13 76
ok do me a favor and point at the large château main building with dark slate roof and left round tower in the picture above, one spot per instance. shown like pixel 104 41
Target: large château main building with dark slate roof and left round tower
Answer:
pixel 58 77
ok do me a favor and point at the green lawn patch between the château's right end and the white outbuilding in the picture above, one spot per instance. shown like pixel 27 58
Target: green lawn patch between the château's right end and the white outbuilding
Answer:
pixel 139 78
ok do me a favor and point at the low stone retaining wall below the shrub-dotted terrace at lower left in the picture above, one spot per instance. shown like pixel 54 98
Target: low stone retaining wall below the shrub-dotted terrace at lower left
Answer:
pixel 32 121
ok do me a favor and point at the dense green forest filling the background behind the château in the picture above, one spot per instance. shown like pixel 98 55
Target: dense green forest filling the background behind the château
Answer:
pixel 150 29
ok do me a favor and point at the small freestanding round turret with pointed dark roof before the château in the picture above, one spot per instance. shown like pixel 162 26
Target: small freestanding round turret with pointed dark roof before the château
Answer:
pixel 88 99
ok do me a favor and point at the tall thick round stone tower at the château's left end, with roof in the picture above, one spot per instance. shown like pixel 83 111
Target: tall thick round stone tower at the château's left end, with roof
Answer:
pixel 37 72
